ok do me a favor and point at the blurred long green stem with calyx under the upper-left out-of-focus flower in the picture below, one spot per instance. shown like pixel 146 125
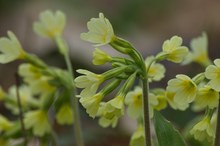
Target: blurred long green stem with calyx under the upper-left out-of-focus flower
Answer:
pixel 73 99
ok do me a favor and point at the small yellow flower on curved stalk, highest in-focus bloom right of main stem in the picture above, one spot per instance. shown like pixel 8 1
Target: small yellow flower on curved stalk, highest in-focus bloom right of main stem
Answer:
pixel 173 49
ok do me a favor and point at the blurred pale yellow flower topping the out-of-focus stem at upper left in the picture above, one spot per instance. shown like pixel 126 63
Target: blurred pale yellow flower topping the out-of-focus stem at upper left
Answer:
pixel 50 24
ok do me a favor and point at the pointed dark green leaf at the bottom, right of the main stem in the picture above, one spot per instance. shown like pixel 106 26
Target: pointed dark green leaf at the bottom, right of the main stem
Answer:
pixel 167 135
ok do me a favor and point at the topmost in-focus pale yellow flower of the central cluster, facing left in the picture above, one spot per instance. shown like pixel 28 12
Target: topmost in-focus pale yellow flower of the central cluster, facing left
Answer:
pixel 100 31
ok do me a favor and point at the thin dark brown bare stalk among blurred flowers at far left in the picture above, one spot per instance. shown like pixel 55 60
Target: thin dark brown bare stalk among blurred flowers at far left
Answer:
pixel 20 109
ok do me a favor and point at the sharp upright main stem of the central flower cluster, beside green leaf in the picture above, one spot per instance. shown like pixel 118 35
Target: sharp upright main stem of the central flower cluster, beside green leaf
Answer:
pixel 146 112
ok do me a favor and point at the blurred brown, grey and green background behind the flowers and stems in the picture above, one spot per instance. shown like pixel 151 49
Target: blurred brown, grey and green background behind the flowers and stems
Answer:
pixel 145 23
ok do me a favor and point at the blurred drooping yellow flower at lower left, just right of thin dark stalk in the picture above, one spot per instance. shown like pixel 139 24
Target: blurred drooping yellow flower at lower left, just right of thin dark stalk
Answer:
pixel 37 121
